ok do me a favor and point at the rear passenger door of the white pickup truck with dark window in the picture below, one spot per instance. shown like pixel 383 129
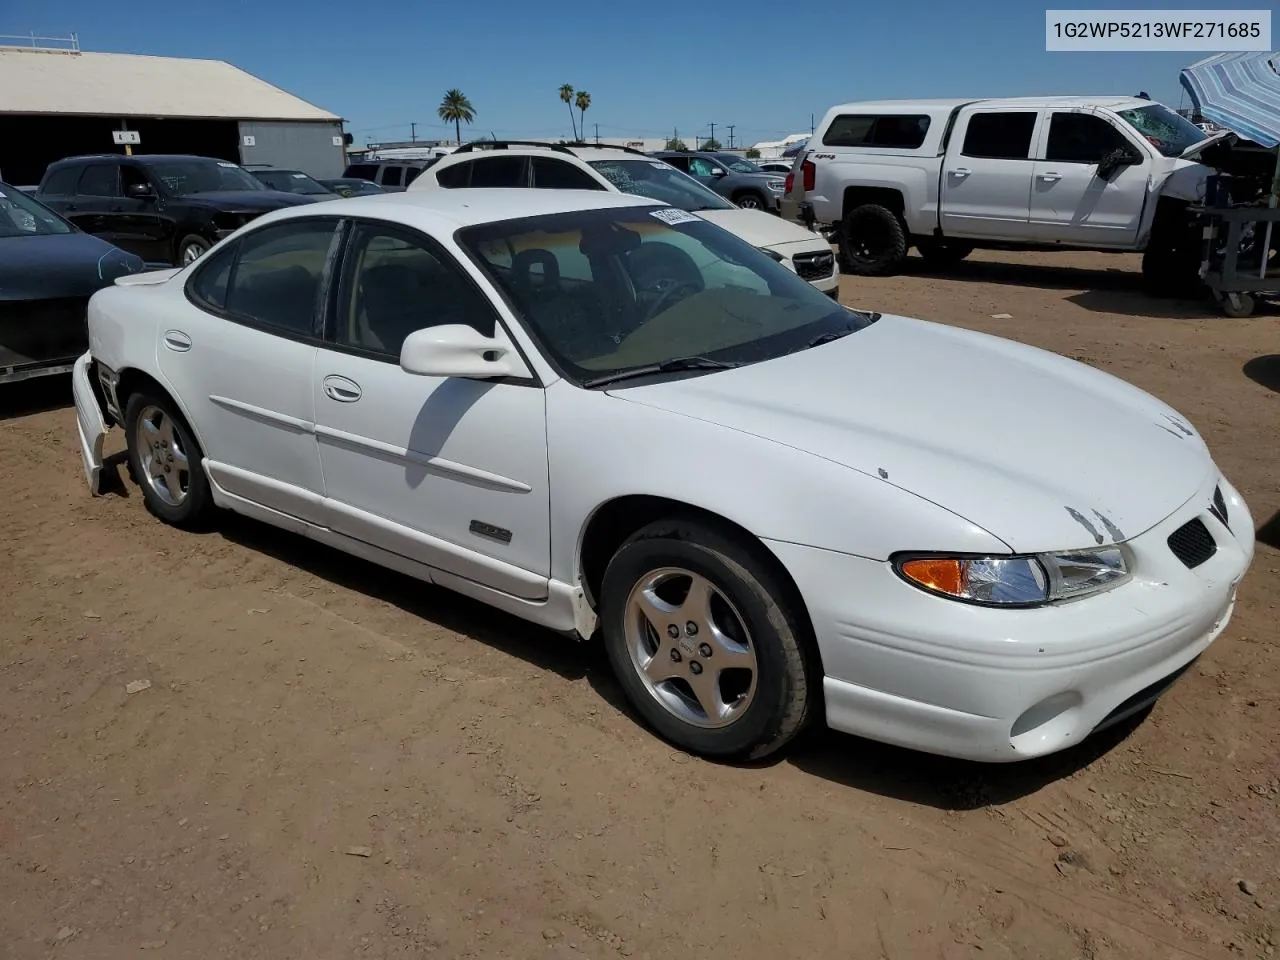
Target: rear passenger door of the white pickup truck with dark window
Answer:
pixel 988 175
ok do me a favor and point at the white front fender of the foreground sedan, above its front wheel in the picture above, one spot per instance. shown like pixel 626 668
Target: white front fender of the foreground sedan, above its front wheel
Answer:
pixel 605 447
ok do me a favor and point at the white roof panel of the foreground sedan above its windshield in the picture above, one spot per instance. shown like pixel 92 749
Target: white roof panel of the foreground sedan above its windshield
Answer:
pixel 467 208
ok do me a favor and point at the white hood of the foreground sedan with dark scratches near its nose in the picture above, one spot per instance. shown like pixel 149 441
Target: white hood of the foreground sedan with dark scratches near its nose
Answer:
pixel 1040 451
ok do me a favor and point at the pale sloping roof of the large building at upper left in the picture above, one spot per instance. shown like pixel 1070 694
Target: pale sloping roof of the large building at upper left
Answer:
pixel 42 81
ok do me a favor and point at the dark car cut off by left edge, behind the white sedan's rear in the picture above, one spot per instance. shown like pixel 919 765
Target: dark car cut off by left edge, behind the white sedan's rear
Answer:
pixel 49 269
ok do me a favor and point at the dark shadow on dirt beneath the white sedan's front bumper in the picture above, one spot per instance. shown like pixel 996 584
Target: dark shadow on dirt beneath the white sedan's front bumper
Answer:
pixel 943 783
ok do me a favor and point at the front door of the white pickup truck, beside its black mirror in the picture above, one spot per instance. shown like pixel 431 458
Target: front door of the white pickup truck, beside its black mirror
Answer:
pixel 1071 204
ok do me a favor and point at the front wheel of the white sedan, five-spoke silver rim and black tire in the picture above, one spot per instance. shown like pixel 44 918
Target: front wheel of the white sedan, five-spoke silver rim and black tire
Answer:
pixel 706 644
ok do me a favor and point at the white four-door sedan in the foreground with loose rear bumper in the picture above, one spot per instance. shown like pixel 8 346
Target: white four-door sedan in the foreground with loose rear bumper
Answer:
pixel 606 415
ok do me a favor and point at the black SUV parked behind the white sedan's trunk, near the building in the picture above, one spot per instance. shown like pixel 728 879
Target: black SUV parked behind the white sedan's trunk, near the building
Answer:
pixel 166 209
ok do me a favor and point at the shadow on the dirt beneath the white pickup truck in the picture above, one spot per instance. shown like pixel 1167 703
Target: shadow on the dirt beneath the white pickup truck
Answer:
pixel 1098 291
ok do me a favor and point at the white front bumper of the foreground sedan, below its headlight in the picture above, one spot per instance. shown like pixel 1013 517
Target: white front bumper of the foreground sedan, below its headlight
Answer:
pixel 935 675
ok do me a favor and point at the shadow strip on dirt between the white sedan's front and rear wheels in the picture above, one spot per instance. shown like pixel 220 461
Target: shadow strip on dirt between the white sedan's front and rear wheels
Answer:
pixel 472 619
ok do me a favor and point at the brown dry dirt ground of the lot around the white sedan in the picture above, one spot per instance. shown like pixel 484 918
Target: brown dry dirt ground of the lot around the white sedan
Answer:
pixel 337 762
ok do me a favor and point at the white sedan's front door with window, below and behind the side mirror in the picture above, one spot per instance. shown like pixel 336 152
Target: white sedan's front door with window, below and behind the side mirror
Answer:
pixel 446 472
